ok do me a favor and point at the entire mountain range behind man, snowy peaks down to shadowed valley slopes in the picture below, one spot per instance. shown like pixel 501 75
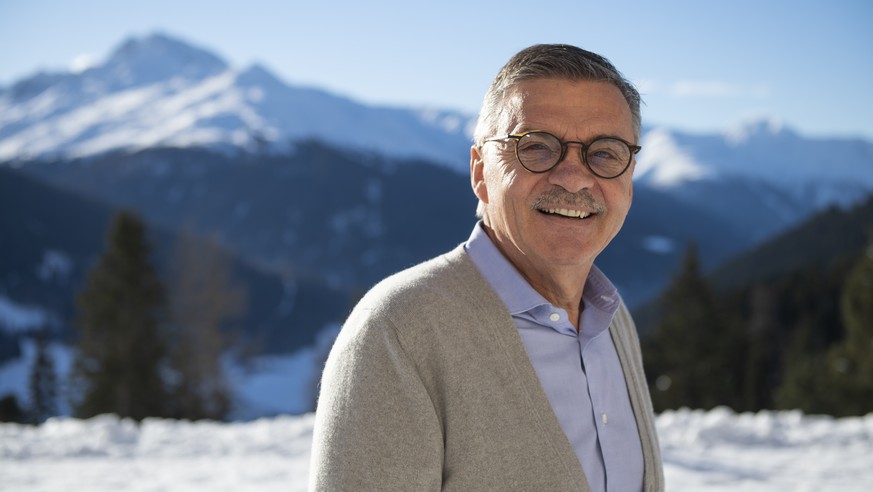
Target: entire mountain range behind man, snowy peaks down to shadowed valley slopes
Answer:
pixel 324 195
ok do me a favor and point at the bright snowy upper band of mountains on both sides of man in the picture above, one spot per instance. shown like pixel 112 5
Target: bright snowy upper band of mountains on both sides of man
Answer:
pixel 162 91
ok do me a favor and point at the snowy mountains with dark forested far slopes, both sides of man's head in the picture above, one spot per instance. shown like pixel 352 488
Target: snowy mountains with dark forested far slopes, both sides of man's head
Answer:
pixel 724 191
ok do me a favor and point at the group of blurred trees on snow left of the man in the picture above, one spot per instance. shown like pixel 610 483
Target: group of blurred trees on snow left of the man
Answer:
pixel 146 347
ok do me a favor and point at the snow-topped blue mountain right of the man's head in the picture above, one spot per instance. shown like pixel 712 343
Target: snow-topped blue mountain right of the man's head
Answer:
pixel 760 176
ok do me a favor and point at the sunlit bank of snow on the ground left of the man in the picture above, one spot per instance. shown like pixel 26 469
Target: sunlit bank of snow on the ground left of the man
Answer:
pixel 106 453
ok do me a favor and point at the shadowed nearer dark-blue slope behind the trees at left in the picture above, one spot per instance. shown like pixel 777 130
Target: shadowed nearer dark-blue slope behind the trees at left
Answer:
pixel 50 236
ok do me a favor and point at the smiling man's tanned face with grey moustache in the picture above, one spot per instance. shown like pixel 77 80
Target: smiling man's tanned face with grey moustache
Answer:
pixel 523 210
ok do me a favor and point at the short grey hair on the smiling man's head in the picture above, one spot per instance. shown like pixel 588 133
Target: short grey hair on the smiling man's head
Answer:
pixel 550 61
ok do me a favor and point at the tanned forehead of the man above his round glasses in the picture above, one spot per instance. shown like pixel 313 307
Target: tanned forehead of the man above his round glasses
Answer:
pixel 569 109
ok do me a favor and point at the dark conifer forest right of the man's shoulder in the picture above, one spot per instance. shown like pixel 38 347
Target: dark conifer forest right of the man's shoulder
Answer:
pixel 798 341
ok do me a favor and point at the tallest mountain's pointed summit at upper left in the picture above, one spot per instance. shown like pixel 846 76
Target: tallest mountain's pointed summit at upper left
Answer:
pixel 158 57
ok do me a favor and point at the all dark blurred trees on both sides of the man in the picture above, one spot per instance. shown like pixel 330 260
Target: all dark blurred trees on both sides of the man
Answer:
pixel 153 348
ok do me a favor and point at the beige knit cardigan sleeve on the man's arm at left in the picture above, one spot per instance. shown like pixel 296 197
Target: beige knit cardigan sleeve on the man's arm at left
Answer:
pixel 375 425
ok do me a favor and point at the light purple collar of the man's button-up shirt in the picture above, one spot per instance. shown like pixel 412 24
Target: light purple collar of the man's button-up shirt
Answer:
pixel 516 293
